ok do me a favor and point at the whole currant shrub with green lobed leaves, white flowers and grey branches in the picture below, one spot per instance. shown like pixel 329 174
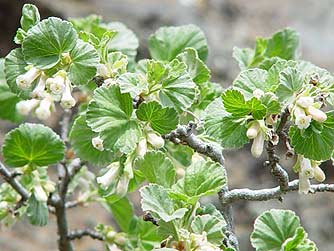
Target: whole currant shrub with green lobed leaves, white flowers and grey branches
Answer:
pixel 157 126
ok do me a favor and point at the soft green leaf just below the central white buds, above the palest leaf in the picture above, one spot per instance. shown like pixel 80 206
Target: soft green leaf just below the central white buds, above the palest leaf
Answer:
pixel 157 168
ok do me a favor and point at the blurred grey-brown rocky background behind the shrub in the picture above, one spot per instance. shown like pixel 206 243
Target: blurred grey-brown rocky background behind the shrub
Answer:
pixel 227 23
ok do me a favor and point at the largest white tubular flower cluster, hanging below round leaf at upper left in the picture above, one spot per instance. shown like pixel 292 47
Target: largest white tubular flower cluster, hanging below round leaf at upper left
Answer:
pixel 46 92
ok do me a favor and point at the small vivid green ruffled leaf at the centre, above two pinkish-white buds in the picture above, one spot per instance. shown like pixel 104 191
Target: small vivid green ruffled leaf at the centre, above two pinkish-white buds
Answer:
pixel 162 120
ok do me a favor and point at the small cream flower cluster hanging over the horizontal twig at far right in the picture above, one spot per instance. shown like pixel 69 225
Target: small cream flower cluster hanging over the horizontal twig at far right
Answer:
pixel 308 169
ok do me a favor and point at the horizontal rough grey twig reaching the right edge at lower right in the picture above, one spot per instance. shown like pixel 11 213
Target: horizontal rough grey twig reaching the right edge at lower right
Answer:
pixel 271 193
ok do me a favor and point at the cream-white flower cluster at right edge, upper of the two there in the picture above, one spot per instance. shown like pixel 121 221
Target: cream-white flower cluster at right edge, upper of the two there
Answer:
pixel 304 110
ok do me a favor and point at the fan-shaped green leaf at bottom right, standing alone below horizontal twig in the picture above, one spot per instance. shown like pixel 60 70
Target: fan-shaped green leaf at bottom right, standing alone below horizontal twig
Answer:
pixel 273 228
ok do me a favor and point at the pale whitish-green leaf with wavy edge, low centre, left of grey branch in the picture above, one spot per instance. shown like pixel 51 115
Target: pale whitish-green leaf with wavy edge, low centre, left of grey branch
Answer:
pixel 156 200
